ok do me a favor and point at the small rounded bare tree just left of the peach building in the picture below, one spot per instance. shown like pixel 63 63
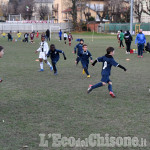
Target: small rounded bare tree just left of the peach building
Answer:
pixel 43 11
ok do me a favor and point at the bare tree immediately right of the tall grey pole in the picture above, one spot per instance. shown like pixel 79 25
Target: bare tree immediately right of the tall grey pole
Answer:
pixel 138 9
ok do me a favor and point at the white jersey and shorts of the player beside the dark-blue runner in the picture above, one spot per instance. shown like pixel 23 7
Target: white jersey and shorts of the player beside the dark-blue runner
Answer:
pixel 43 49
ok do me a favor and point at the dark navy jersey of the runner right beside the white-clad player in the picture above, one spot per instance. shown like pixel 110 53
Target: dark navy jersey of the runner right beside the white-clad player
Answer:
pixel 54 55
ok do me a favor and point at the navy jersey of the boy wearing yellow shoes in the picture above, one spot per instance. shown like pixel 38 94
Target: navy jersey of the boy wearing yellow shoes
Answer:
pixel 84 56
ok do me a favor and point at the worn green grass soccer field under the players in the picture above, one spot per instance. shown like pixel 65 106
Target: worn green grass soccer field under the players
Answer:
pixel 34 102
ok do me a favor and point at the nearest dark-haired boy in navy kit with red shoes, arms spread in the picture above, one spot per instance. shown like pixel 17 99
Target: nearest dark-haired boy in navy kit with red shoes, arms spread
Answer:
pixel 108 61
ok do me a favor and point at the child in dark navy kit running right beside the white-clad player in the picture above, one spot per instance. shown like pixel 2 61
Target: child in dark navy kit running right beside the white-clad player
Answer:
pixel 54 55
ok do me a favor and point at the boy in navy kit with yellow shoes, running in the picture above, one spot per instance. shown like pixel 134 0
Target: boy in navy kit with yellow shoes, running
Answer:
pixel 84 56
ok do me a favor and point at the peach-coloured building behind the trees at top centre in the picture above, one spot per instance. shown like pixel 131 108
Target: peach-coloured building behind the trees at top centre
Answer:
pixel 62 10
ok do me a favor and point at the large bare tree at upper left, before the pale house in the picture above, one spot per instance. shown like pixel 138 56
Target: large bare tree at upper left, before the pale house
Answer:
pixel 26 8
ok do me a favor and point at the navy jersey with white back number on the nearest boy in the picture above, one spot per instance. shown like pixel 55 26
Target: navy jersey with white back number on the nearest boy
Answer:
pixel 108 62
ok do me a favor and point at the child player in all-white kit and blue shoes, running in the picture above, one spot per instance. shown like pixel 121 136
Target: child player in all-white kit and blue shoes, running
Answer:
pixel 43 49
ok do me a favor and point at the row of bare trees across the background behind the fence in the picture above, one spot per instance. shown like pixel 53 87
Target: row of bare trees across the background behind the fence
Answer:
pixel 113 10
